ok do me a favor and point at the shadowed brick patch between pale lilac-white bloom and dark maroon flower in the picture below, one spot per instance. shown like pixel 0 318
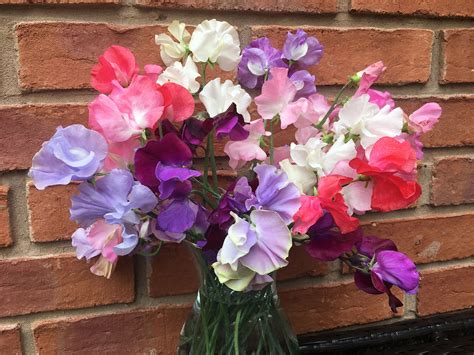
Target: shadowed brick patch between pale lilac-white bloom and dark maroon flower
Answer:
pixel 301 264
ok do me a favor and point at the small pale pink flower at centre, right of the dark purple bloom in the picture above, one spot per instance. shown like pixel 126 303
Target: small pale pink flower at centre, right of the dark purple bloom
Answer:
pixel 241 152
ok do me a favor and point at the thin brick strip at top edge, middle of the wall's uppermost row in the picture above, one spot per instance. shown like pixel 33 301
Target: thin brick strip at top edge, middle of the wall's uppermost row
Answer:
pixel 308 6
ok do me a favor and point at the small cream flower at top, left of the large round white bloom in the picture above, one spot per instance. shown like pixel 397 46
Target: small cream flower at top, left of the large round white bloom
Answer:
pixel 170 50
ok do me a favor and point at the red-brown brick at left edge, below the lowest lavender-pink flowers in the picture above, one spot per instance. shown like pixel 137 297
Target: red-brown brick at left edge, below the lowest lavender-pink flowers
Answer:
pixel 30 285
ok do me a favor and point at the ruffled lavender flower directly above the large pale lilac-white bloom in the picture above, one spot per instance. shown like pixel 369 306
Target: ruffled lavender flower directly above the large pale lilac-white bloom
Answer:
pixel 275 193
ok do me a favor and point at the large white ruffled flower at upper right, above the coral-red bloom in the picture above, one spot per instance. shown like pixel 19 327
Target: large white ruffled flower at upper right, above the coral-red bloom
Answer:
pixel 360 117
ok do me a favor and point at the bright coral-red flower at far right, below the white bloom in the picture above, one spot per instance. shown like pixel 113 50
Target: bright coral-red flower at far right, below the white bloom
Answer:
pixel 391 167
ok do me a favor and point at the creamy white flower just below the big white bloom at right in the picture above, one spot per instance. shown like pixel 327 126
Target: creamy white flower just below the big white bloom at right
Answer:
pixel 314 155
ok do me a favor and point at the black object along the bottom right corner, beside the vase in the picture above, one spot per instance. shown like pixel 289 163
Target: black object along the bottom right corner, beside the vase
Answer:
pixel 446 334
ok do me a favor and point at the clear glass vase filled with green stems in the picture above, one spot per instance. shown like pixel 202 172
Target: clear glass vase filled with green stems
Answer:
pixel 223 321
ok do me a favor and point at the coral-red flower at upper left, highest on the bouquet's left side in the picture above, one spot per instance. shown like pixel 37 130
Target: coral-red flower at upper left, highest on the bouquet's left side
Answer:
pixel 116 64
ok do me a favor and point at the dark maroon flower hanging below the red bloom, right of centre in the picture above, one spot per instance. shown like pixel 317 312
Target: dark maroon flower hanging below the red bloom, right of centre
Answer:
pixel 330 245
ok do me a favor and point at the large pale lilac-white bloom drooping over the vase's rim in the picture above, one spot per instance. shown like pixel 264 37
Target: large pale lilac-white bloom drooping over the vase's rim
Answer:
pixel 259 247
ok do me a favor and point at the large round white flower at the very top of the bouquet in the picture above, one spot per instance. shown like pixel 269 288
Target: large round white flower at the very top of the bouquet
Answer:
pixel 216 42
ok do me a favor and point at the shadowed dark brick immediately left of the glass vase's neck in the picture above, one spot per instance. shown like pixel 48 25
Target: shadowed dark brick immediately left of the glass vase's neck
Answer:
pixel 173 272
